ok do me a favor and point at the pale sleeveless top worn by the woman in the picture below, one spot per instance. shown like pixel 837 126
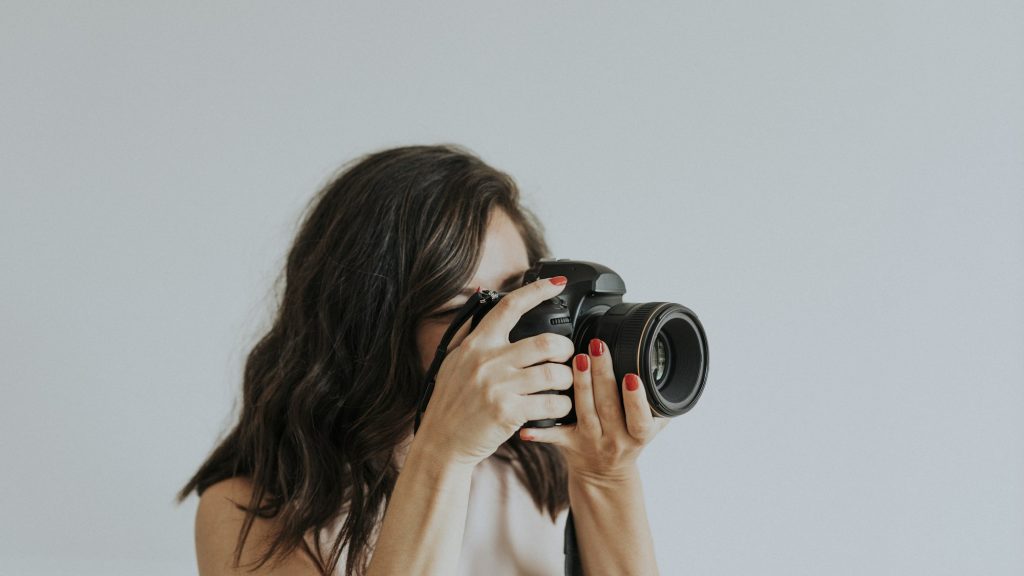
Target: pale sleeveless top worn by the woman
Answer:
pixel 506 534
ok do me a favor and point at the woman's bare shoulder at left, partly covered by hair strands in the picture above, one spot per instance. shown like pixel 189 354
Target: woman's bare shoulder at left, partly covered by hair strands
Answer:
pixel 219 525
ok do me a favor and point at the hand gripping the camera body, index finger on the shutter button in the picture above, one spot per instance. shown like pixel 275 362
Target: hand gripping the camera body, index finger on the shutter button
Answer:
pixel 485 388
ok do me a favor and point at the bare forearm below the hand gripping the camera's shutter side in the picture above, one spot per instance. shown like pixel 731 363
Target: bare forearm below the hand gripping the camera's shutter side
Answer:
pixel 422 529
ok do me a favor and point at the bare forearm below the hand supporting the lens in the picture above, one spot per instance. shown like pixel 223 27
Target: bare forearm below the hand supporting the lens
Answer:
pixel 612 526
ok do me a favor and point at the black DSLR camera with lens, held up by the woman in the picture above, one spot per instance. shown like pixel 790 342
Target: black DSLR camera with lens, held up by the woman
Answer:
pixel 663 343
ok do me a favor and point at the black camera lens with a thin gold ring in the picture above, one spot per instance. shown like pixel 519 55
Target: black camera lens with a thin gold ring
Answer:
pixel 663 343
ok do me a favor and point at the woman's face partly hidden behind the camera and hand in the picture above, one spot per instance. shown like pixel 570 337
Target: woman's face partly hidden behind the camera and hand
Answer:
pixel 502 265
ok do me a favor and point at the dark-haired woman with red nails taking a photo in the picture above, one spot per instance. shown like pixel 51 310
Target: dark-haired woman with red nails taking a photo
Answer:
pixel 309 481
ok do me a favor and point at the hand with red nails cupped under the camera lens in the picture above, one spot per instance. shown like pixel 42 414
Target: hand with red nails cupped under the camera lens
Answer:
pixel 606 441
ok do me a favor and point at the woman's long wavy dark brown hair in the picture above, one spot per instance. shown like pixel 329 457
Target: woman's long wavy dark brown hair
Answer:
pixel 332 388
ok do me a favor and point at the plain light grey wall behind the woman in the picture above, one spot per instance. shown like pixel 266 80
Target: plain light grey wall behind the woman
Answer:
pixel 836 188
